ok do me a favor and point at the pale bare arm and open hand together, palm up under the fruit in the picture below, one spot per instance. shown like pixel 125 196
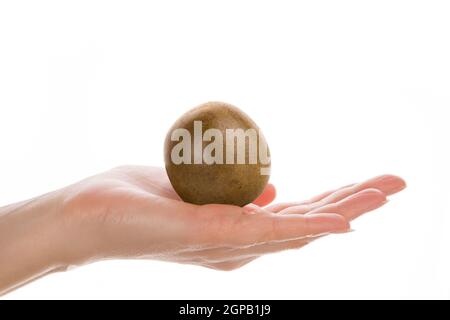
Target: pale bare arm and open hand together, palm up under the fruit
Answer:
pixel 133 212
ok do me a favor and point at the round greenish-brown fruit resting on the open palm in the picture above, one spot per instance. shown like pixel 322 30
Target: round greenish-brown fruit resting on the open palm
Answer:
pixel 201 178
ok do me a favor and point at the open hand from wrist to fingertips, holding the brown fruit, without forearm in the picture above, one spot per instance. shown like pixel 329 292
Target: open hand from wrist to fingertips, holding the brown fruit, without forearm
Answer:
pixel 133 212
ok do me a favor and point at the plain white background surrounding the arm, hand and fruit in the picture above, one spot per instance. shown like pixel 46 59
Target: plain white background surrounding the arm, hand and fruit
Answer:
pixel 343 90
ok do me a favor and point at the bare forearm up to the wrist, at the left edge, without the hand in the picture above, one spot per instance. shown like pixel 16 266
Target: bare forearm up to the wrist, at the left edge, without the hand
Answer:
pixel 31 240
